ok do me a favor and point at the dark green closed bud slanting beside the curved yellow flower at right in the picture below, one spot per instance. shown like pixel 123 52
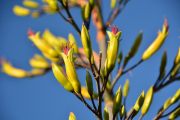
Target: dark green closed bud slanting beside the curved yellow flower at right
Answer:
pixel 134 48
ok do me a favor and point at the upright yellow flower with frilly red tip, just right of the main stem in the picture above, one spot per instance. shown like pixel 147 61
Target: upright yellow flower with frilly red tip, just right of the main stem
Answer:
pixel 112 49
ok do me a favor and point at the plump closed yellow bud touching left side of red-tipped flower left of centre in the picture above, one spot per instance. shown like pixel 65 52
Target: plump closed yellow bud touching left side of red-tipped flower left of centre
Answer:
pixel 61 78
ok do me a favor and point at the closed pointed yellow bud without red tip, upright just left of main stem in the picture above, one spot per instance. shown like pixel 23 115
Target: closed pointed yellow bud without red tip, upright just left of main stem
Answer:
pixel 86 42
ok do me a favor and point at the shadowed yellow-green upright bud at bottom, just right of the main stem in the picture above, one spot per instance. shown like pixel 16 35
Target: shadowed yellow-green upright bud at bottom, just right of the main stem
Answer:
pixel 117 101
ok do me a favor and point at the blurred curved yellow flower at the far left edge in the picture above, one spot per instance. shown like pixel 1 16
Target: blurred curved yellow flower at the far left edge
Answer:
pixel 8 69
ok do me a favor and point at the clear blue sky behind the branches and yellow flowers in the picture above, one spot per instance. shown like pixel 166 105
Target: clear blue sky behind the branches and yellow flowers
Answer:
pixel 42 98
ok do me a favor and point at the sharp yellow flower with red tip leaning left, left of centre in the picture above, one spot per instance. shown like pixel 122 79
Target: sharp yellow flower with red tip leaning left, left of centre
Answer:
pixel 67 56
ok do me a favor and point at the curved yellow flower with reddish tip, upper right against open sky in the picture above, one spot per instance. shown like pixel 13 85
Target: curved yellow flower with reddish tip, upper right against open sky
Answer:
pixel 157 42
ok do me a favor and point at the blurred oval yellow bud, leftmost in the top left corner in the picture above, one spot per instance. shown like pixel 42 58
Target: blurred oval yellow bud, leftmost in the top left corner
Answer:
pixel 20 11
